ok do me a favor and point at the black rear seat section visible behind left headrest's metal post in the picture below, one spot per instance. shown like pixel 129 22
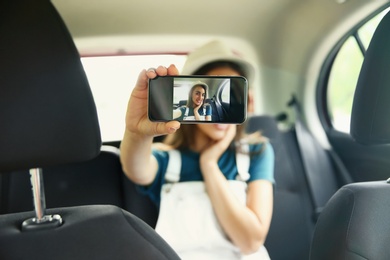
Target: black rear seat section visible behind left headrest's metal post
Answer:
pixel 96 181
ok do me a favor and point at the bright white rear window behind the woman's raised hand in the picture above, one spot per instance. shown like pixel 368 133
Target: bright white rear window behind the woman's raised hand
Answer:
pixel 112 79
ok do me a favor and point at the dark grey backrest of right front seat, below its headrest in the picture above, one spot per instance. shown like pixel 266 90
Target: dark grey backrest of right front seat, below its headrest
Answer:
pixel 353 225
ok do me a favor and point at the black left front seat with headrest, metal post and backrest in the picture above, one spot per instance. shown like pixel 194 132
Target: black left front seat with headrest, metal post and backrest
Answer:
pixel 48 117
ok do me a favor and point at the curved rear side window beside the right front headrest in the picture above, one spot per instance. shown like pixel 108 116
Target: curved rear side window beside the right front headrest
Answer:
pixel 344 73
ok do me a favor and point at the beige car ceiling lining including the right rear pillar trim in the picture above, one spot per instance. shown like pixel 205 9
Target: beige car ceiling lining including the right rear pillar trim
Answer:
pixel 287 39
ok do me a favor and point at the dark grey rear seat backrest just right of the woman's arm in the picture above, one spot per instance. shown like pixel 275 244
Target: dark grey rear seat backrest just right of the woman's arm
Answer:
pixel 292 223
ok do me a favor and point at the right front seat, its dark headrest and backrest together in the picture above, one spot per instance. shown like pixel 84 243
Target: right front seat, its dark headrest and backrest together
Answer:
pixel 354 223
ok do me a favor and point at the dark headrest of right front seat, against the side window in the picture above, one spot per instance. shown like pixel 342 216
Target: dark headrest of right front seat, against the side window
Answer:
pixel 370 120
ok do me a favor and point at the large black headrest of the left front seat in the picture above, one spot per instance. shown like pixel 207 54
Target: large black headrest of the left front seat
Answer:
pixel 47 112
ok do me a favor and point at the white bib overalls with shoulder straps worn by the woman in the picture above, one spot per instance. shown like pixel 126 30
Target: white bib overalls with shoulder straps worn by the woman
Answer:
pixel 187 220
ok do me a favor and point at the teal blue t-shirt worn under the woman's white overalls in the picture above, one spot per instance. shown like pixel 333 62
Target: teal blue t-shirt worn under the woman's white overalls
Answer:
pixel 261 168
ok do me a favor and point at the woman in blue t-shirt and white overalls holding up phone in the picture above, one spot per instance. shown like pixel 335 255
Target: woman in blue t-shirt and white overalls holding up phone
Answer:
pixel 210 207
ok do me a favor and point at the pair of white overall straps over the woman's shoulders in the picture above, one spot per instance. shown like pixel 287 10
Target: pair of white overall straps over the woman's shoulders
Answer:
pixel 172 174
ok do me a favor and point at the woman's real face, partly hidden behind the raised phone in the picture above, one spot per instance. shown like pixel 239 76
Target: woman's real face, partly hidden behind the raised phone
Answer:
pixel 217 131
